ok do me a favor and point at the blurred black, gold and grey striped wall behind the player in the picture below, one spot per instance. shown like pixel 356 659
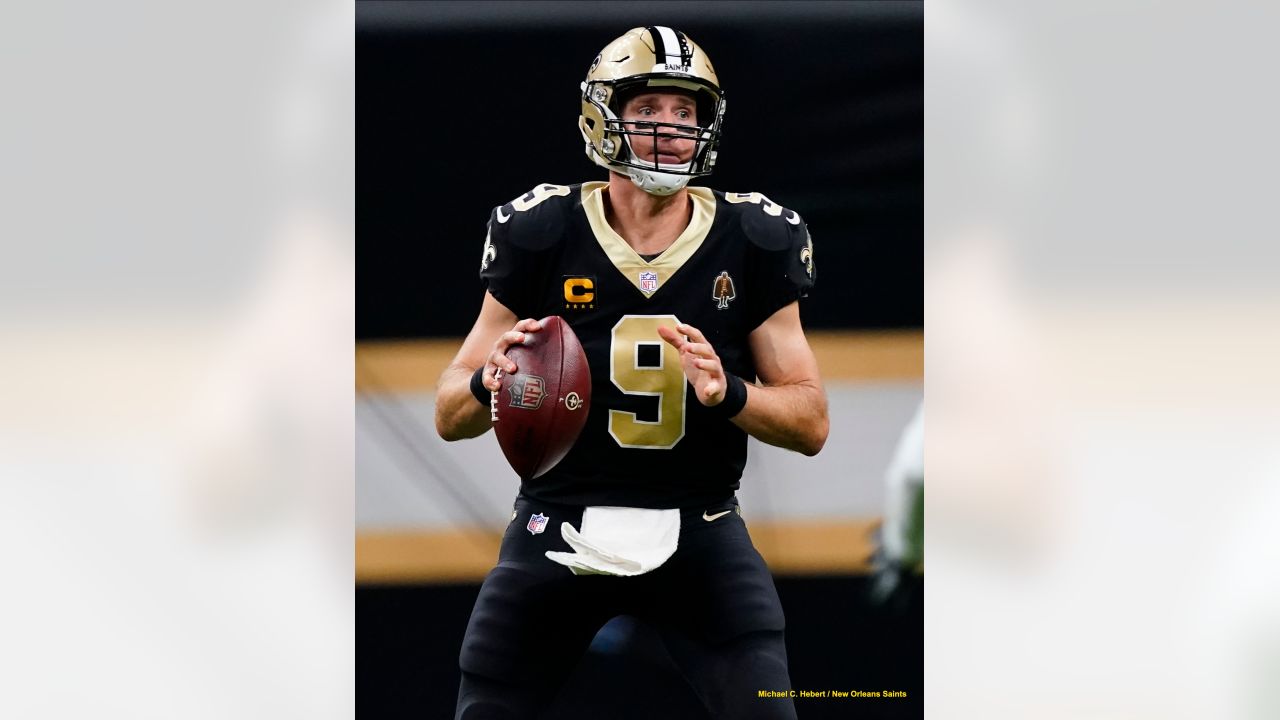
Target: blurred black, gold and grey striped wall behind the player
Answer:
pixel 461 107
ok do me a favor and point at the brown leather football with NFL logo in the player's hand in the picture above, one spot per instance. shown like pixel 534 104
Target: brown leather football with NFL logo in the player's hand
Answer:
pixel 542 408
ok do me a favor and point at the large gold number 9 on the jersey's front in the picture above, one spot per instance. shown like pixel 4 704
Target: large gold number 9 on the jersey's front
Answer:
pixel 642 363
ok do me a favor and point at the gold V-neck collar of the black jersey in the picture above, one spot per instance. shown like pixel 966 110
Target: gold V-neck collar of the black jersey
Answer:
pixel 627 259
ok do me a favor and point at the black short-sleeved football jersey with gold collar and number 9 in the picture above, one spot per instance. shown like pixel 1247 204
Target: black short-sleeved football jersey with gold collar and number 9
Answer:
pixel 648 441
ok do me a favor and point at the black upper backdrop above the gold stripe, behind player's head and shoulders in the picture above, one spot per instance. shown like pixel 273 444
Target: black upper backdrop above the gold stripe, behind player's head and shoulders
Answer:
pixel 464 107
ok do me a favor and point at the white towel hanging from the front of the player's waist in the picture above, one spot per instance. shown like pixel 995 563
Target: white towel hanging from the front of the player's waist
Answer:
pixel 620 541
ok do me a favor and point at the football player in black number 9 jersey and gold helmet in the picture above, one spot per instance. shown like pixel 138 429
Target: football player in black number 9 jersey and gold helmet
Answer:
pixel 685 302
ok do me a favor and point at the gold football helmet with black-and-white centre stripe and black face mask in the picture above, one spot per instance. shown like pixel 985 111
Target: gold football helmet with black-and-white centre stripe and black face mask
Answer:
pixel 653 58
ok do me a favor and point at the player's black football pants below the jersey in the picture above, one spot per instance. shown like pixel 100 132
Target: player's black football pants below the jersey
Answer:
pixel 714 604
